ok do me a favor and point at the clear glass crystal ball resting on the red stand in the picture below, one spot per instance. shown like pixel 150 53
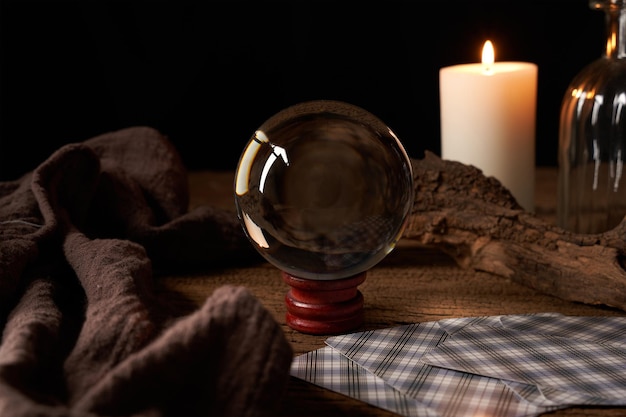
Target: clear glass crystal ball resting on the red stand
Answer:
pixel 323 190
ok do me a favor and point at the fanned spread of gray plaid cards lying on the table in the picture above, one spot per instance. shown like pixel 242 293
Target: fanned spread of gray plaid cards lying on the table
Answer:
pixel 508 366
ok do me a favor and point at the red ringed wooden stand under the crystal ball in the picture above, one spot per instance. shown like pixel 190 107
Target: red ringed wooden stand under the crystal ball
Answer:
pixel 324 306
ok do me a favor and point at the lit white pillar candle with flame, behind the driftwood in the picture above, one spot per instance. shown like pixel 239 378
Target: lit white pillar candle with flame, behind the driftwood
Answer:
pixel 488 117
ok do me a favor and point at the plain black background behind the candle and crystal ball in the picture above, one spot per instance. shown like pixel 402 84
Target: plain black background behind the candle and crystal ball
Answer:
pixel 208 73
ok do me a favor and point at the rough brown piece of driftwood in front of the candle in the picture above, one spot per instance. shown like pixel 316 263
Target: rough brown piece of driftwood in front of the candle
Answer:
pixel 477 221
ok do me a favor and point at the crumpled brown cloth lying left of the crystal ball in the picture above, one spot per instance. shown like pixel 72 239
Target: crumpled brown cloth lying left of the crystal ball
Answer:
pixel 84 334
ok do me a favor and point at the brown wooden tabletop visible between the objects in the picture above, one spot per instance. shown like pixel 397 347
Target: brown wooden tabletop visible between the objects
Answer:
pixel 411 285
